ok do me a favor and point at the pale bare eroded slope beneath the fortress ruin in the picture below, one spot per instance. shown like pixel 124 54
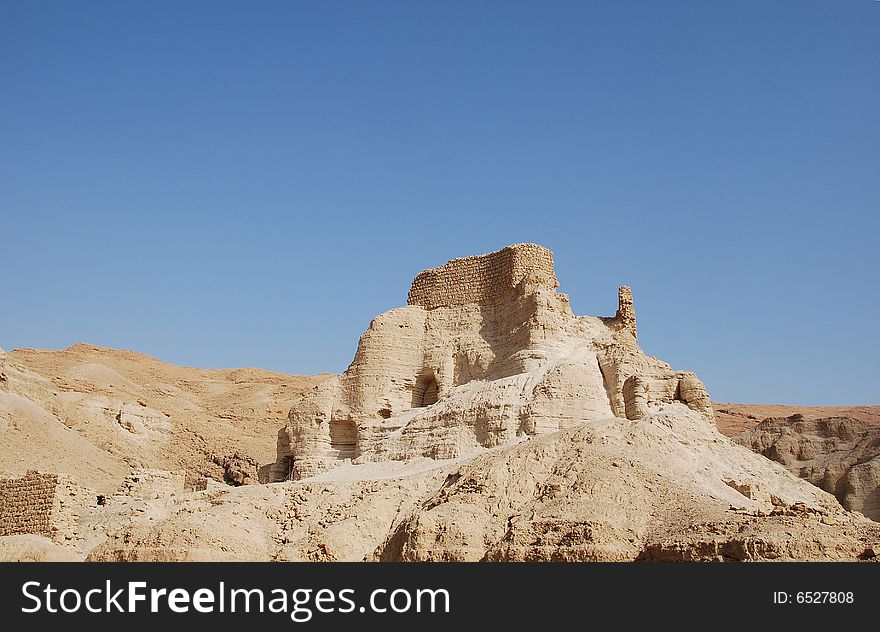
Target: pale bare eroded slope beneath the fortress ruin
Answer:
pixel 668 487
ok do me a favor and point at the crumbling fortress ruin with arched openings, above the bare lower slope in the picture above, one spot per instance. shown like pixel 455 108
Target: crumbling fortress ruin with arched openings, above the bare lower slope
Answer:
pixel 485 352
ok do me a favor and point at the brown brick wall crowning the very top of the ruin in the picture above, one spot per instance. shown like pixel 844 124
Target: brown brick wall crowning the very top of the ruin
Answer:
pixel 484 278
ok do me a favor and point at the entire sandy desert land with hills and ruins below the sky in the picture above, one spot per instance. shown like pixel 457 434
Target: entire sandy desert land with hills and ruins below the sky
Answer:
pixel 482 421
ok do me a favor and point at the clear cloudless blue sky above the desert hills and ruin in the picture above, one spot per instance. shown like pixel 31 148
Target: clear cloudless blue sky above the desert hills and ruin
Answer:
pixel 248 183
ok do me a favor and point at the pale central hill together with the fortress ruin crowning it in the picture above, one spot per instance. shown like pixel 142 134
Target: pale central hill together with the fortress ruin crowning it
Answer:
pixel 485 421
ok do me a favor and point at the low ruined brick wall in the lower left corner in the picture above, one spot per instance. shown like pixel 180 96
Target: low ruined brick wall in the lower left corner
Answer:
pixel 41 504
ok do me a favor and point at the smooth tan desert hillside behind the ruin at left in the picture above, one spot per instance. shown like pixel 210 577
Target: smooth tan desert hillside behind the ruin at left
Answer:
pixel 97 413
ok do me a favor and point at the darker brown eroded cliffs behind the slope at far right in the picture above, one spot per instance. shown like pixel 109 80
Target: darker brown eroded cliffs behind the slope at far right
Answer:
pixel 838 454
